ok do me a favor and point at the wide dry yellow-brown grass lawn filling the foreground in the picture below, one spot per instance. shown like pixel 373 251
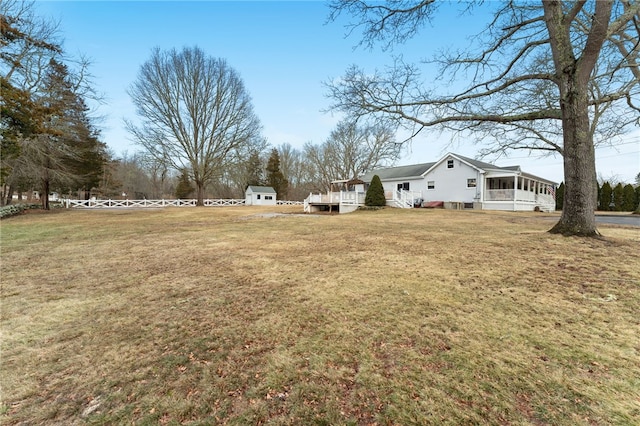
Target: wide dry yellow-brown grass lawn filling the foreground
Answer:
pixel 392 317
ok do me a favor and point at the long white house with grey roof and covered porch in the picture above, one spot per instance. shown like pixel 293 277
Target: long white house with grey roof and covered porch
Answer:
pixel 462 183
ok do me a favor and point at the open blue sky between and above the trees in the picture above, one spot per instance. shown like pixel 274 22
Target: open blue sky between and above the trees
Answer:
pixel 284 51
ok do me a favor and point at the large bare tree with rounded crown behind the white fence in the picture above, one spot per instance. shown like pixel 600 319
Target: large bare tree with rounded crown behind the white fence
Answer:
pixel 195 112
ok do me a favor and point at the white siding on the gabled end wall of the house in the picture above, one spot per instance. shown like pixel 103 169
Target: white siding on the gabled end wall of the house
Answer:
pixel 451 184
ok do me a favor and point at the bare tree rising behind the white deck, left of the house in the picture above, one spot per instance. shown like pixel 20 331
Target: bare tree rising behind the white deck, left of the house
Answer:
pixel 352 150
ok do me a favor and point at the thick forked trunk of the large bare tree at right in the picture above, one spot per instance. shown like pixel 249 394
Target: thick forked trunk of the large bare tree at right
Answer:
pixel 572 76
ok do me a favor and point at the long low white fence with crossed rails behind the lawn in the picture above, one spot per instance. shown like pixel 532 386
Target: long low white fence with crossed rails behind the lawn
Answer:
pixel 101 204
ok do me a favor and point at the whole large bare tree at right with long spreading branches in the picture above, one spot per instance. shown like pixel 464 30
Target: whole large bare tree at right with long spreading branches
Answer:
pixel 542 68
